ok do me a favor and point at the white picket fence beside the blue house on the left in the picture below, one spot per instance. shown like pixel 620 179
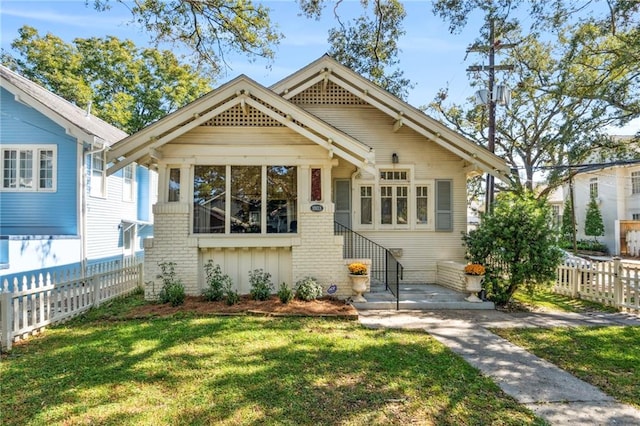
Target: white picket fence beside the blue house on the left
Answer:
pixel 29 304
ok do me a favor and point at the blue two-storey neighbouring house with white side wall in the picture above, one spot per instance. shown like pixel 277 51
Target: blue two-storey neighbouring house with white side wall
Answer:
pixel 57 206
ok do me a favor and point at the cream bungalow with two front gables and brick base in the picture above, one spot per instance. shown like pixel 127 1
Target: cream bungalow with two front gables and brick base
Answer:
pixel 254 177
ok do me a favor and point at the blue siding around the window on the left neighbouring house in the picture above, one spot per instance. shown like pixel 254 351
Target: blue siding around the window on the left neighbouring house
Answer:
pixel 39 213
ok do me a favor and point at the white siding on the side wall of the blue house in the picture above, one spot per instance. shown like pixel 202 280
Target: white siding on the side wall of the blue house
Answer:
pixel 104 216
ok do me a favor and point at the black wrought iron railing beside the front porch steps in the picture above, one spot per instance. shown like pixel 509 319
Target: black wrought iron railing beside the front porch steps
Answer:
pixel 384 268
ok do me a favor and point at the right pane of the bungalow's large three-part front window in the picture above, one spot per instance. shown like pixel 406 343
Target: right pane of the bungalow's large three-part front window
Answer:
pixel 282 196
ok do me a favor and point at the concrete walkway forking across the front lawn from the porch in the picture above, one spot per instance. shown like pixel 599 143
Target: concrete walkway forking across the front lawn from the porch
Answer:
pixel 547 390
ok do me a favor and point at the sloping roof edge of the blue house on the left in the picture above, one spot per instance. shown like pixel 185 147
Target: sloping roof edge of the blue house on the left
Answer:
pixel 76 121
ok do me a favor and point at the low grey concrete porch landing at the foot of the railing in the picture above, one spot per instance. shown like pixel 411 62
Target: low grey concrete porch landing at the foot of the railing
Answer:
pixel 418 297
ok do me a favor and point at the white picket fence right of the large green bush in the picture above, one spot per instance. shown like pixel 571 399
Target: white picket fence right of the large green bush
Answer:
pixel 612 283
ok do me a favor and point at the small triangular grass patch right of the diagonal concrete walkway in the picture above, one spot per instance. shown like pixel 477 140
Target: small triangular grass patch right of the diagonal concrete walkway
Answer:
pixel 607 357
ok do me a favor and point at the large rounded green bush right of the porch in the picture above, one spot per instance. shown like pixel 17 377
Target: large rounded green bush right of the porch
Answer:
pixel 516 243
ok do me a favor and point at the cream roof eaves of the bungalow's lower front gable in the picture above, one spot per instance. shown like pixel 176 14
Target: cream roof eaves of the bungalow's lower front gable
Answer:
pixel 245 94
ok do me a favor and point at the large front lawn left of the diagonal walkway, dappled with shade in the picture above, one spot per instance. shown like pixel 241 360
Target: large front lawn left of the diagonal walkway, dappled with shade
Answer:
pixel 240 371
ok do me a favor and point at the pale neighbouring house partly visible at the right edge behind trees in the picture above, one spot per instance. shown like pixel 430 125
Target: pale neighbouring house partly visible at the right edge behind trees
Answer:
pixel 615 184
